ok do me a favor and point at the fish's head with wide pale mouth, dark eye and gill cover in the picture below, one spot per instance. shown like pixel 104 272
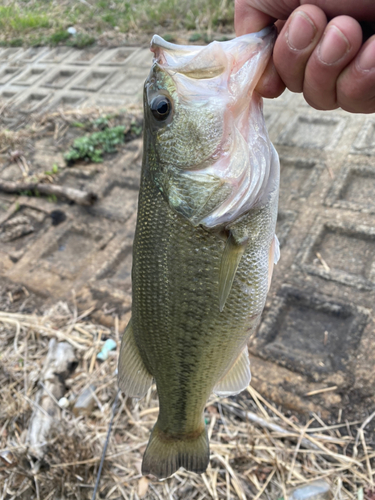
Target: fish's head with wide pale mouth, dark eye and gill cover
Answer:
pixel 210 154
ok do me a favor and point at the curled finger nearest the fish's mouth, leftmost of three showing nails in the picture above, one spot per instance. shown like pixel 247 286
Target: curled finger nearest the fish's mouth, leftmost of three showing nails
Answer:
pixel 295 44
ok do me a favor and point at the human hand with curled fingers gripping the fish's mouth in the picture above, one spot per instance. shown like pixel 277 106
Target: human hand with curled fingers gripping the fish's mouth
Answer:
pixel 325 60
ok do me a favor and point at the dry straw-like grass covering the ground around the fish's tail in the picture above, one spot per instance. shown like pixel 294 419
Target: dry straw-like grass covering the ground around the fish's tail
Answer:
pixel 256 452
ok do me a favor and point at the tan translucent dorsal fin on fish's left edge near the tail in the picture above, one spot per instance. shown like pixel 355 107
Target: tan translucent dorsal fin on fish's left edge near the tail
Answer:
pixel 133 378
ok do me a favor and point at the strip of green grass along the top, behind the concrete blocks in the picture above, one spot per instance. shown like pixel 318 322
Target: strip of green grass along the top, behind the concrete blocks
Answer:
pixel 41 22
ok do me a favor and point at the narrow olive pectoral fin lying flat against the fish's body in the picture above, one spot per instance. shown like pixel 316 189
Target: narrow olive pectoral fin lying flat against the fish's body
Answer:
pixel 233 252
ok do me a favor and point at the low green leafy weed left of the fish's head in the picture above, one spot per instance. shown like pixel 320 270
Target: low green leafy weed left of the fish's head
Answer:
pixel 93 146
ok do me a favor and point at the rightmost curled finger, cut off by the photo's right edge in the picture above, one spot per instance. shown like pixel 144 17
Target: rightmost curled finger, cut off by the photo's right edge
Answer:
pixel 356 84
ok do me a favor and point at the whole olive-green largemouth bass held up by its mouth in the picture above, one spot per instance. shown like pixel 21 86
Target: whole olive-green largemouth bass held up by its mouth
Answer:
pixel 205 243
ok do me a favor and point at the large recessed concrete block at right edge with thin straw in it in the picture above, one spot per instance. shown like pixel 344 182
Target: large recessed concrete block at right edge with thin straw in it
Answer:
pixel 340 251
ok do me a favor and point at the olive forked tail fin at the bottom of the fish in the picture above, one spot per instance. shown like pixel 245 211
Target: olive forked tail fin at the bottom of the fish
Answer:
pixel 164 455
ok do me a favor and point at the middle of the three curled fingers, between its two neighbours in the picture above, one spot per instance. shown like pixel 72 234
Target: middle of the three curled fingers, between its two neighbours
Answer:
pixel 339 45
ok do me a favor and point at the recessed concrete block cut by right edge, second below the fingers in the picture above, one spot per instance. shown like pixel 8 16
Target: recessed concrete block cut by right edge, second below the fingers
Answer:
pixel 354 189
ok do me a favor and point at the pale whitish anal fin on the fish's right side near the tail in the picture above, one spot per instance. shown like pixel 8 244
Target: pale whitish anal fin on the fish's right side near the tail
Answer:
pixel 238 377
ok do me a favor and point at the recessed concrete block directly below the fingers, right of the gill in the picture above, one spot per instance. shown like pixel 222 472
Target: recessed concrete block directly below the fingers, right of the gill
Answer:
pixel 317 132
